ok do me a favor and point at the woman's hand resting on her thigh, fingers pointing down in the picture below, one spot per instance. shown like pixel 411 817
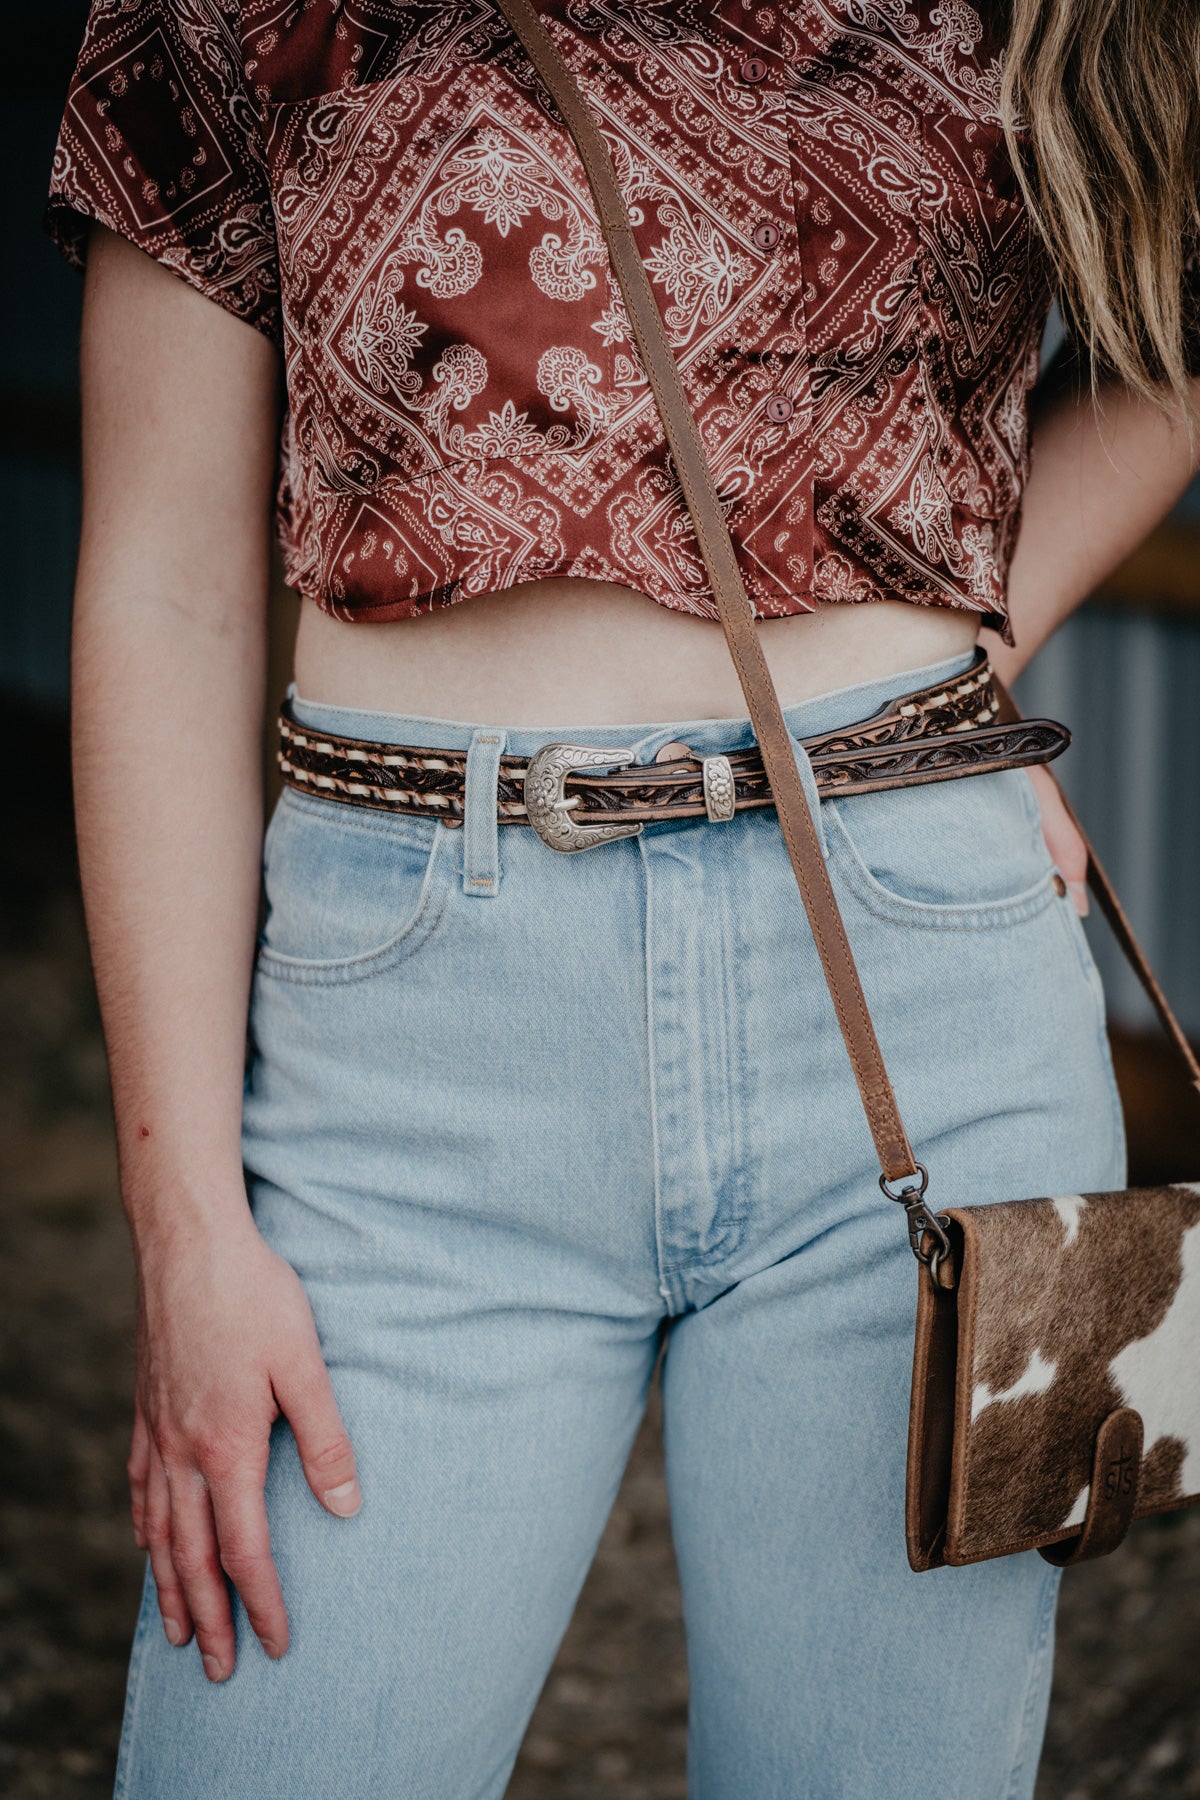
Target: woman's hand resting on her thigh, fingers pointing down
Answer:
pixel 226 1345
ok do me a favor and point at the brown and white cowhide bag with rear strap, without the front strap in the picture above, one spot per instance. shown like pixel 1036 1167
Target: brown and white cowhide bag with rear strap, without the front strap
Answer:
pixel 1057 1369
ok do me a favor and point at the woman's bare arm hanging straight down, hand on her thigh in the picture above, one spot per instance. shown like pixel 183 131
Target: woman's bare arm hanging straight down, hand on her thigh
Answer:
pixel 170 645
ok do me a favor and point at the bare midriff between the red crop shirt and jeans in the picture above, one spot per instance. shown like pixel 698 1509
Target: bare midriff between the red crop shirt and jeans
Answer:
pixel 591 652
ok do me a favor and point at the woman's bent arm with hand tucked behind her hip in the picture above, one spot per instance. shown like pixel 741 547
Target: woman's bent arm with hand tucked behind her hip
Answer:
pixel 1102 480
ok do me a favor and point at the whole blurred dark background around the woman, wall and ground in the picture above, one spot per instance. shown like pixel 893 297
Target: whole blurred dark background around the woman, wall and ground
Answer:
pixel 1125 676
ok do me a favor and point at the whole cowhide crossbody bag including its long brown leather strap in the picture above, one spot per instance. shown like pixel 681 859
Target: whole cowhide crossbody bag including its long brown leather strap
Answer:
pixel 1057 1371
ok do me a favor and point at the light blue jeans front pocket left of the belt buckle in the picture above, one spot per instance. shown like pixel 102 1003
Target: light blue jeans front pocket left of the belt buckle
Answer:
pixel 348 895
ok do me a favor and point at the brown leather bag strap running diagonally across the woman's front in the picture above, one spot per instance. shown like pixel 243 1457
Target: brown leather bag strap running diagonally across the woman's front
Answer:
pixel 733 604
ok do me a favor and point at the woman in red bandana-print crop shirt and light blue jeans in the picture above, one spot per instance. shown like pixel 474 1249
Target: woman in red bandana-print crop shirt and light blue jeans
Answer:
pixel 514 1120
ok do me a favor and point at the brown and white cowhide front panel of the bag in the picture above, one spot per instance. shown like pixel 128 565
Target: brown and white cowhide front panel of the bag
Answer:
pixel 1068 1309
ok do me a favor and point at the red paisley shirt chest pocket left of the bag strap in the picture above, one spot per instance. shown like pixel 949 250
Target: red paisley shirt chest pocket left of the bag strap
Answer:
pixel 445 285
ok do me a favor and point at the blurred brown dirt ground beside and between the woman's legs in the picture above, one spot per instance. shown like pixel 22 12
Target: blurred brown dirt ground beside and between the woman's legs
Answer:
pixel 611 1723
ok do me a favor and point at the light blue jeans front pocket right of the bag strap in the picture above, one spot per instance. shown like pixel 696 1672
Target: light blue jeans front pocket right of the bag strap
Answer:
pixel 962 856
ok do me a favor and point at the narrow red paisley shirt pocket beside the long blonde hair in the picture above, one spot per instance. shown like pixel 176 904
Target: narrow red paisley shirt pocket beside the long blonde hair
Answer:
pixel 981 321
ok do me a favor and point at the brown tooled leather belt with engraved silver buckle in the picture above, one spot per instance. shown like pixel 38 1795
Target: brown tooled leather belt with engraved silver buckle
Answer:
pixel 931 735
